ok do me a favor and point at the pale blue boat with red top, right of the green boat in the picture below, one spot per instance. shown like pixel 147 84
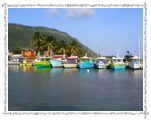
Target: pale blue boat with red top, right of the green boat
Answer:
pixel 57 60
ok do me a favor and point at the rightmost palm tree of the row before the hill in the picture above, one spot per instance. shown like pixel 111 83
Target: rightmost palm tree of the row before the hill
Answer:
pixel 74 47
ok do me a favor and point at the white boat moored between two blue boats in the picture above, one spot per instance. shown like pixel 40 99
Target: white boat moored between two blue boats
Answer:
pixel 101 61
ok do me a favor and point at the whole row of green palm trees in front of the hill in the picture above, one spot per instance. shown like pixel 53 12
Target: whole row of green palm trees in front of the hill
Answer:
pixel 45 42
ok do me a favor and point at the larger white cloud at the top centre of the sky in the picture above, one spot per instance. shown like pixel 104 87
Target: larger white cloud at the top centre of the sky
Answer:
pixel 79 12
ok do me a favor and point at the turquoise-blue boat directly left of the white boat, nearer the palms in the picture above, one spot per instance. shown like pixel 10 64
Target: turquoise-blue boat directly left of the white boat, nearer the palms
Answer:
pixel 86 62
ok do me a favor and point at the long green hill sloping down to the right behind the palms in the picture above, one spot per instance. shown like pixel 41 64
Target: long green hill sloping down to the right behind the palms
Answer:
pixel 20 36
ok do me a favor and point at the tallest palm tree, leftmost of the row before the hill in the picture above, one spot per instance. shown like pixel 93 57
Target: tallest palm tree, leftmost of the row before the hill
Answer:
pixel 36 40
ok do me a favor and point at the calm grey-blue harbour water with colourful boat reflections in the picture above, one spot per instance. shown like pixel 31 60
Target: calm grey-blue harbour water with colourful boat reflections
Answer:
pixel 59 89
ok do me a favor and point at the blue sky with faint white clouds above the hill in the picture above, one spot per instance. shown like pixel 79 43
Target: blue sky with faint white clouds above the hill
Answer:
pixel 105 28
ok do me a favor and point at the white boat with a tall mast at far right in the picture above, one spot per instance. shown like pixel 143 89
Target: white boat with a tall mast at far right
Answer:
pixel 135 61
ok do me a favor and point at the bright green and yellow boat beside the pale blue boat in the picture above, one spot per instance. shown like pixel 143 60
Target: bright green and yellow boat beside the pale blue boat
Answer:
pixel 43 63
